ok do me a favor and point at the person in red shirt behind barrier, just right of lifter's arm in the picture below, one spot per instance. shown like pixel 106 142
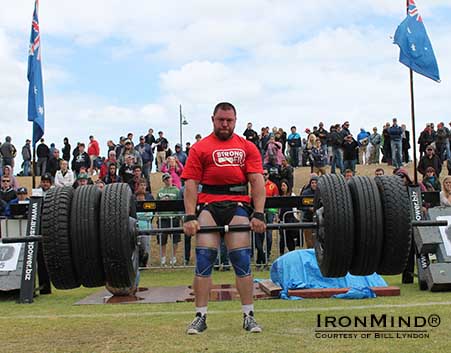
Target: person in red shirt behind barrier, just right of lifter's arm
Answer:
pixel 271 190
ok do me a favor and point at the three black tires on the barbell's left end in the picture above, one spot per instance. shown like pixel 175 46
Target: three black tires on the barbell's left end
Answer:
pixel 89 238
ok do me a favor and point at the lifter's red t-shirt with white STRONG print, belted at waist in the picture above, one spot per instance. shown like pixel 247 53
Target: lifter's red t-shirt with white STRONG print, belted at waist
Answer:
pixel 213 161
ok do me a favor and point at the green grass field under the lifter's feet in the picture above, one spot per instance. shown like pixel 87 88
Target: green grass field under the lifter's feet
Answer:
pixel 53 324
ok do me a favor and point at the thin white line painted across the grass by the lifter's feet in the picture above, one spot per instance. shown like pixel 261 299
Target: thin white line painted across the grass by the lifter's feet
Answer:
pixel 171 313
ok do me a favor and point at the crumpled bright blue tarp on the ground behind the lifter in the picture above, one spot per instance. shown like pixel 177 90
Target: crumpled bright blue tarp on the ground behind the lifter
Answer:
pixel 299 270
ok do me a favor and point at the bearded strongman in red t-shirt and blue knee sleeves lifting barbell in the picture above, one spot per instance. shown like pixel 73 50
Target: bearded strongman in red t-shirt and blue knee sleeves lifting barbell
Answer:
pixel 223 163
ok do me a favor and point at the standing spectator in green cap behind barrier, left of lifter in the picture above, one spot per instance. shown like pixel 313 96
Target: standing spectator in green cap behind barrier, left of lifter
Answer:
pixel 168 192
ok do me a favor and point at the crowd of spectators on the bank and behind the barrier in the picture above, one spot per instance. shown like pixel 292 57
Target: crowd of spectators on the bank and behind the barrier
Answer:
pixel 333 150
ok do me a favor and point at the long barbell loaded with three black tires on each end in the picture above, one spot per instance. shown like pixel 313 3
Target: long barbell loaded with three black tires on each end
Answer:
pixel 89 236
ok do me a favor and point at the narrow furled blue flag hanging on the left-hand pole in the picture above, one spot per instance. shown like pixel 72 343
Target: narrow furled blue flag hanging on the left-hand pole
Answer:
pixel 35 89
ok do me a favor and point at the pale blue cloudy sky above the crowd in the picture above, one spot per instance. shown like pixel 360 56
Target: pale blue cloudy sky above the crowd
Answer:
pixel 112 67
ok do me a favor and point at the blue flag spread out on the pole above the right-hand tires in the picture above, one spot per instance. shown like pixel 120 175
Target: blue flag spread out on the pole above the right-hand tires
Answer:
pixel 415 47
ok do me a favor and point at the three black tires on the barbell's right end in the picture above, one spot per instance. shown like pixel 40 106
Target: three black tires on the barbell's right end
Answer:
pixel 364 225
